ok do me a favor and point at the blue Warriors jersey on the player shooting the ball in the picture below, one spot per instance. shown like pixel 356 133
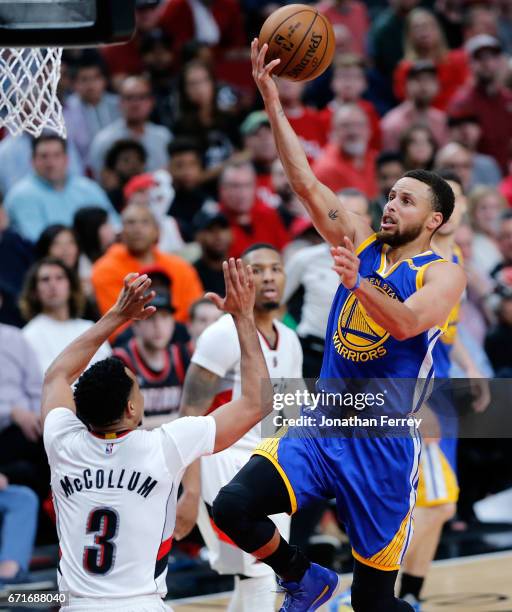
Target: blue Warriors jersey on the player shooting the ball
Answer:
pixel 357 347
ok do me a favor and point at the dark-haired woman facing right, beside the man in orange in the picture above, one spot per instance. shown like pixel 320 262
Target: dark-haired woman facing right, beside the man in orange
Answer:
pixel 94 234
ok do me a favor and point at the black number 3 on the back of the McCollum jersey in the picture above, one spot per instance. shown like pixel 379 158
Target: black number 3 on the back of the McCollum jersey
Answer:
pixel 104 523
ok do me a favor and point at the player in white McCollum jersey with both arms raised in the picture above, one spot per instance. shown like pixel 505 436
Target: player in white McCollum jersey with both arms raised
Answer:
pixel 115 486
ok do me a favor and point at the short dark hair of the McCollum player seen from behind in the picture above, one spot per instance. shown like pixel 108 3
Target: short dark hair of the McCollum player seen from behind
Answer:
pixel 101 393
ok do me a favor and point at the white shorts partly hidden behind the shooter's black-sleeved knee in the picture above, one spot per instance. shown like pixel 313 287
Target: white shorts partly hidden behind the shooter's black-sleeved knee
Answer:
pixel 226 558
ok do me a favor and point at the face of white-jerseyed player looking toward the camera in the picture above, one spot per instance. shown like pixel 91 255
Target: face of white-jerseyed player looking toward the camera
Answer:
pixel 269 277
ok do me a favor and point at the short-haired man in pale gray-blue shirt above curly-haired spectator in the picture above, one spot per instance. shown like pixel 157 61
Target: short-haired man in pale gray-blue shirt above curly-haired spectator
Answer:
pixel 137 103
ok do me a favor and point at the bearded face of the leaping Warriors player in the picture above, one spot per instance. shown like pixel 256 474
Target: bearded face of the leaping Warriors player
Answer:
pixel 408 213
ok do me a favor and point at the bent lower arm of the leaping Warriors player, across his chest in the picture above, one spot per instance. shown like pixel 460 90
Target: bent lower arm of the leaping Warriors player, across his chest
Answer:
pixel 443 284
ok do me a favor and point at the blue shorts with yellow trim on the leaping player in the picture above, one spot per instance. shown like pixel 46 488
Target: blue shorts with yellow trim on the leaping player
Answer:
pixel 372 479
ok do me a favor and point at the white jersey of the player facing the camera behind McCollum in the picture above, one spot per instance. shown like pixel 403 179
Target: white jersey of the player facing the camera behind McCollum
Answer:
pixel 218 350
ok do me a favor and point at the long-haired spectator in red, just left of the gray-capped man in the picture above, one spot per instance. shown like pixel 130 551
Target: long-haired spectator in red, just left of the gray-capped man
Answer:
pixel 424 40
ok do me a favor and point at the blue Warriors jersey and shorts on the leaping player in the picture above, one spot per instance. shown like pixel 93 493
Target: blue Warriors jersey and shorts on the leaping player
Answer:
pixel 373 478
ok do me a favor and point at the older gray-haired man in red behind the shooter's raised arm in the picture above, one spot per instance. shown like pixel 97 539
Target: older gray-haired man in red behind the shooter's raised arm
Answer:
pixel 347 161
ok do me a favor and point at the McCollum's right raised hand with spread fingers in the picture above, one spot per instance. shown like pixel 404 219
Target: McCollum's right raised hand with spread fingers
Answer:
pixel 240 291
